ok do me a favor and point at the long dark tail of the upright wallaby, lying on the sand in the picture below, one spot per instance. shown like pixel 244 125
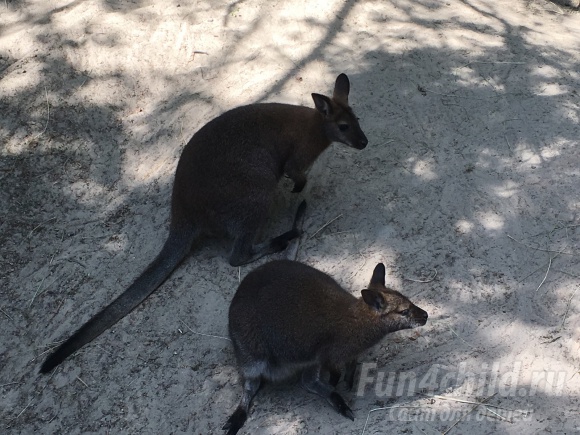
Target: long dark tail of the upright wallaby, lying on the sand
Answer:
pixel 176 248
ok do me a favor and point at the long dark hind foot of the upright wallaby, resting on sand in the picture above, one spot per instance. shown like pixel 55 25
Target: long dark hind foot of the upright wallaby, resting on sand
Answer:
pixel 244 251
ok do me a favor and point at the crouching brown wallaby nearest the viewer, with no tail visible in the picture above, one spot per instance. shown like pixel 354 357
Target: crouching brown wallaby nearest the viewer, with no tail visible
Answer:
pixel 289 319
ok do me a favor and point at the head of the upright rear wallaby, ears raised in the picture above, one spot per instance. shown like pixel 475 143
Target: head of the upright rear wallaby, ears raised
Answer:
pixel 340 123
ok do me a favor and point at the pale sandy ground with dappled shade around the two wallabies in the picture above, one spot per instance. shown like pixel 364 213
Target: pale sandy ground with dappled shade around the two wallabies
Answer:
pixel 472 172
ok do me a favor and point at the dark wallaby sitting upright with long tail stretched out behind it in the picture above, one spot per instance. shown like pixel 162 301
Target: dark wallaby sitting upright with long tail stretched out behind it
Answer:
pixel 224 184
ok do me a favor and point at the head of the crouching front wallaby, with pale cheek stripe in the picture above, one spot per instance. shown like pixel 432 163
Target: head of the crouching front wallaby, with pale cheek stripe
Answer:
pixel 391 308
